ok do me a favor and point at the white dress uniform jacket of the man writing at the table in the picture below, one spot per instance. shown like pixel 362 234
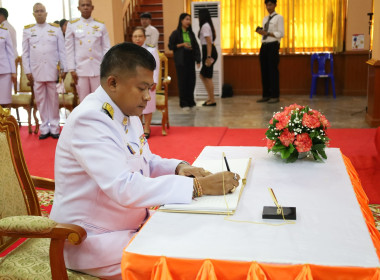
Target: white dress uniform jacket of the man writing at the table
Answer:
pixel 106 177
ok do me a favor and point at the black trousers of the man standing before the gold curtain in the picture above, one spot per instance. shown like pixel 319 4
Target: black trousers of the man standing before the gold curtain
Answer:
pixel 269 59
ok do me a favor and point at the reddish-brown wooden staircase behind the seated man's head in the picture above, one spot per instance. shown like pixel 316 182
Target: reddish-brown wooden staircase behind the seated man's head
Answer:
pixel 141 6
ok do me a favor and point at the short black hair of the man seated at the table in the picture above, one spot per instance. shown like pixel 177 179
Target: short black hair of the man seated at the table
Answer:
pixel 124 58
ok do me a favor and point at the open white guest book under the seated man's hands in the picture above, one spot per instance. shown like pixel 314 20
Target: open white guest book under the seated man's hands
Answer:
pixel 219 204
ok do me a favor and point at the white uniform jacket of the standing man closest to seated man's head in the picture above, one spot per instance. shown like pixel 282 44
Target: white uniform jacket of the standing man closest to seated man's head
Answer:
pixel 86 42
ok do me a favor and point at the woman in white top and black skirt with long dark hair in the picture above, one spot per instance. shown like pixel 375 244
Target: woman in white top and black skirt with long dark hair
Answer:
pixel 209 54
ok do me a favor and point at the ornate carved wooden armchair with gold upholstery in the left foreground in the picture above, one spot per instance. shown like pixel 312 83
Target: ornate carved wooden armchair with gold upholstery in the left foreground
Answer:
pixel 41 255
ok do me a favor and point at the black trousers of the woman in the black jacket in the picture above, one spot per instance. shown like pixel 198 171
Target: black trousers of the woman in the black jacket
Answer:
pixel 186 82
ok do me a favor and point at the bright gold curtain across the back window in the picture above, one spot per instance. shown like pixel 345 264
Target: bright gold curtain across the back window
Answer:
pixel 310 25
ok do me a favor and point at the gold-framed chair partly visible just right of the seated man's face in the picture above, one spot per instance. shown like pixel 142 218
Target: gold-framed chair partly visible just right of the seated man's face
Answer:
pixel 162 92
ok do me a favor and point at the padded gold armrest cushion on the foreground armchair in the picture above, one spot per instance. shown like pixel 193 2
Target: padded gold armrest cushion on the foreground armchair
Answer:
pixel 31 224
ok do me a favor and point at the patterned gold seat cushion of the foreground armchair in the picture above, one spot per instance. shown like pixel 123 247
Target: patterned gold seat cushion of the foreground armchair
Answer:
pixel 31 261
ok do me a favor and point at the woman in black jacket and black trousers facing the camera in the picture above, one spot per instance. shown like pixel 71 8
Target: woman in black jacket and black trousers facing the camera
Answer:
pixel 183 43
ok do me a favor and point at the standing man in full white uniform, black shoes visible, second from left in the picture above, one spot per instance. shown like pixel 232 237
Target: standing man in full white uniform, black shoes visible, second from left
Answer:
pixel 42 50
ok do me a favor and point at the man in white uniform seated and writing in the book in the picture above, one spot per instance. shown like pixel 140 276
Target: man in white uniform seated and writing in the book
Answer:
pixel 106 177
